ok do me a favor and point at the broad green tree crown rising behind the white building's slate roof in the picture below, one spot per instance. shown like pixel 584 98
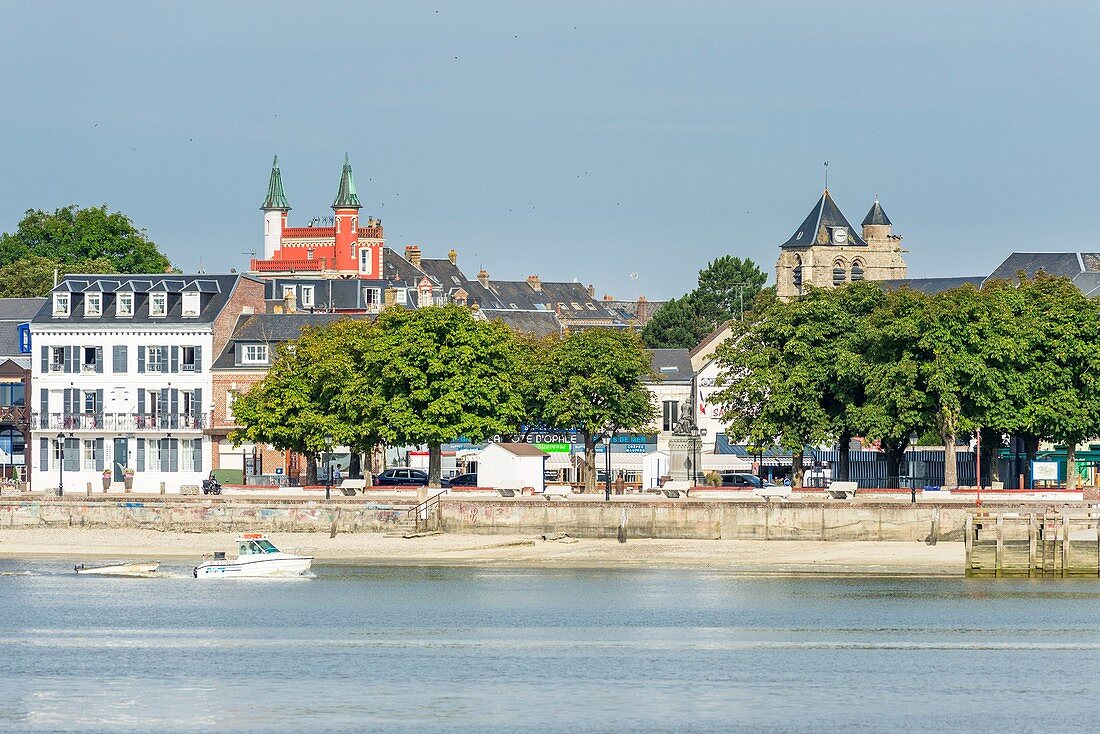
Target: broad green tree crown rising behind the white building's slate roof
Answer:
pixel 74 235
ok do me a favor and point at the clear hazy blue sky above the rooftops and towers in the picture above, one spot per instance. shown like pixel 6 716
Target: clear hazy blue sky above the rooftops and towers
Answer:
pixel 585 140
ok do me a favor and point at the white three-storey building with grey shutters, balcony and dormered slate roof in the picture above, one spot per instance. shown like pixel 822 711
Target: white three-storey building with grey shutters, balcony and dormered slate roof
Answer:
pixel 122 378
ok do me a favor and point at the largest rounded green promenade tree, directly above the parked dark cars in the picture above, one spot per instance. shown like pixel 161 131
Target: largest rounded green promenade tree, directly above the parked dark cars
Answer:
pixel 431 376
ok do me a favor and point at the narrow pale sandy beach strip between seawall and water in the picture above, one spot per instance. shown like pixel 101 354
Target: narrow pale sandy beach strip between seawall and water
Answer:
pixel 747 557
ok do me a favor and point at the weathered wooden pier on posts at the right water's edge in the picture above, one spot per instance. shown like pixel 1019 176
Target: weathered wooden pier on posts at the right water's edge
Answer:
pixel 1051 544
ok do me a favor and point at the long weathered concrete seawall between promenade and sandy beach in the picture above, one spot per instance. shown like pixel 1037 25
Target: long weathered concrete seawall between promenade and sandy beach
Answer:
pixel 672 520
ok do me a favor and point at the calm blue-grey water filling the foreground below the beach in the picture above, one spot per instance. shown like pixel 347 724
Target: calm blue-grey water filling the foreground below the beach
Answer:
pixel 409 650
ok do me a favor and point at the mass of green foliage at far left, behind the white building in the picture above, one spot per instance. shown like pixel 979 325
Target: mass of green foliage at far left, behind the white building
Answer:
pixel 73 240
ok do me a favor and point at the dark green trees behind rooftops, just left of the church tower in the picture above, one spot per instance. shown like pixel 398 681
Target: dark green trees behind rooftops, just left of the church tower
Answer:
pixel 728 289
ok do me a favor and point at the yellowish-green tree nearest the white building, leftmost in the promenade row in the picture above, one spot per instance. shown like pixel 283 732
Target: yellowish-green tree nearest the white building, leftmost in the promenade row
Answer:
pixel 290 409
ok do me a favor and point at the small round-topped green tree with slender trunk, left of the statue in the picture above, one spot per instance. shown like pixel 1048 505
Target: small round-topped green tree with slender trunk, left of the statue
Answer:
pixel 595 382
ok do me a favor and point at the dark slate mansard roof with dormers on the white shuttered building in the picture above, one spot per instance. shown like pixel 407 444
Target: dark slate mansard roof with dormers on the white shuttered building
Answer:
pixel 216 292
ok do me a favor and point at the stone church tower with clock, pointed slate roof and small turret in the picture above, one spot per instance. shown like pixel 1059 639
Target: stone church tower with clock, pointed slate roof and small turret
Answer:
pixel 827 251
